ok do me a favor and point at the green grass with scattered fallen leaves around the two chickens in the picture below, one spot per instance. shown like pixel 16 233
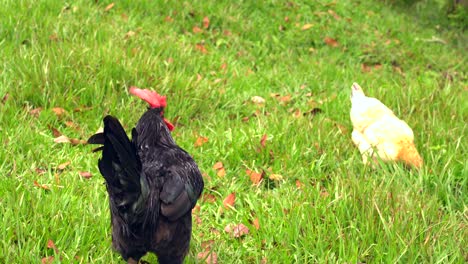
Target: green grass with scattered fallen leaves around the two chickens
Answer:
pixel 77 56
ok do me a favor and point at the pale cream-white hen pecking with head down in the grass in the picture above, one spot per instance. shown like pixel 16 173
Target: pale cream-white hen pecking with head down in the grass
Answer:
pixel 378 133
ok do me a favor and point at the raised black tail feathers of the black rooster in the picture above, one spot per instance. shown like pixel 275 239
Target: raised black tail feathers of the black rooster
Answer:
pixel 121 168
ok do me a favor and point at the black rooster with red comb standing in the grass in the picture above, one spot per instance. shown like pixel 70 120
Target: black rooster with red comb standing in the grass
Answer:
pixel 152 183
